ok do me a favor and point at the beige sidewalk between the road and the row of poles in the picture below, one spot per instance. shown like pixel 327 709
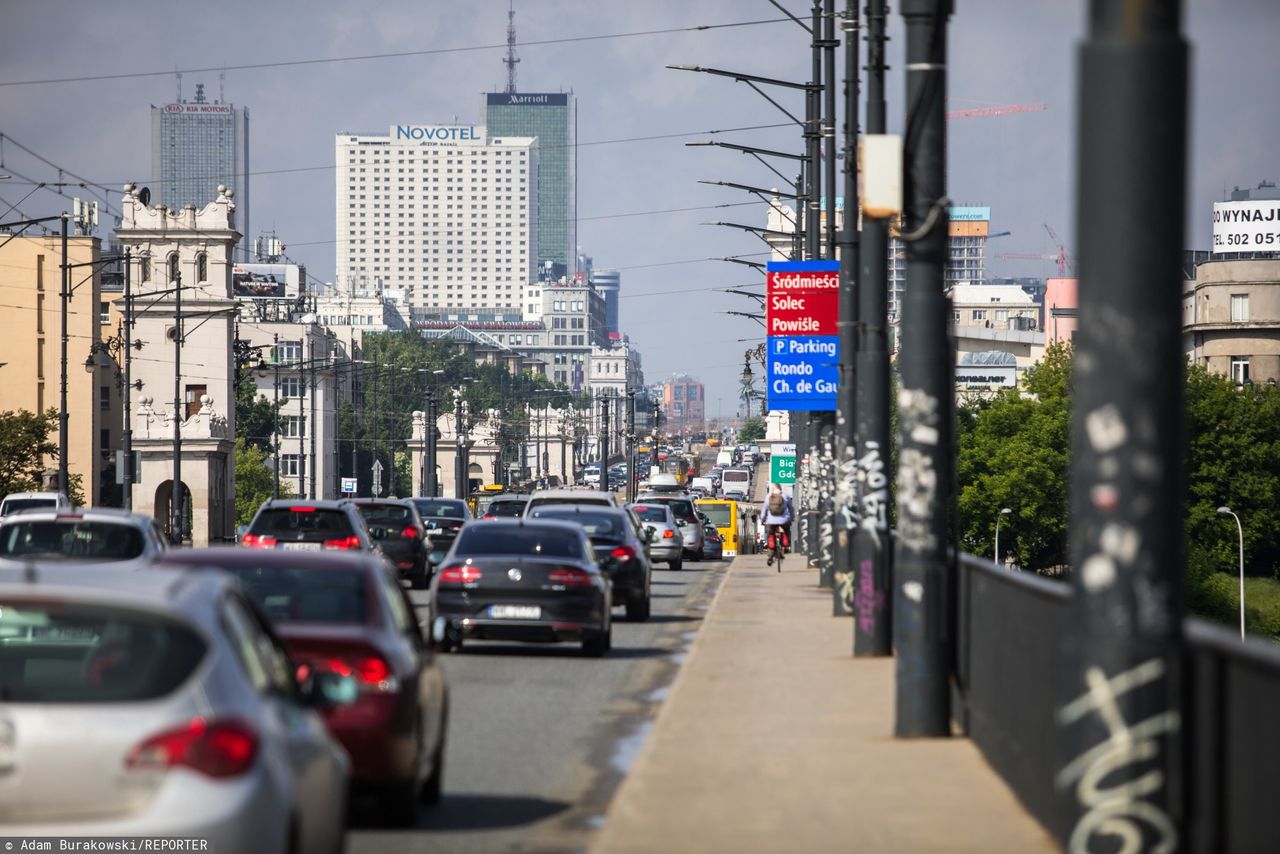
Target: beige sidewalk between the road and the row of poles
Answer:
pixel 775 739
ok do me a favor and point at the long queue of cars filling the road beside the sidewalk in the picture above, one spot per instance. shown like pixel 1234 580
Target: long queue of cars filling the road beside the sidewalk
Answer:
pixel 258 696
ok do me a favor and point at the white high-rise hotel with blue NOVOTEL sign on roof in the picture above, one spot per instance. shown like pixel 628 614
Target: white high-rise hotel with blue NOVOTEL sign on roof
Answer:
pixel 446 213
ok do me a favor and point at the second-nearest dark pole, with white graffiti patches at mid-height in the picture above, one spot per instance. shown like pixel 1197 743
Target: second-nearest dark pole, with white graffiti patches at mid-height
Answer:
pixel 924 633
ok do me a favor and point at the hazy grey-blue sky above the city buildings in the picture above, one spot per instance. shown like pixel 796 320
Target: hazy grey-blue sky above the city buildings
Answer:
pixel 1003 52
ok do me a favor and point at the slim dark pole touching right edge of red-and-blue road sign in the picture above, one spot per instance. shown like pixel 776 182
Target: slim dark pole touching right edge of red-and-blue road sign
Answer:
pixel 844 518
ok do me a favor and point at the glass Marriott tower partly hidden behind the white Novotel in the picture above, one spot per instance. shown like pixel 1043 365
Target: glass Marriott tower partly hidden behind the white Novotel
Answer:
pixel 552 117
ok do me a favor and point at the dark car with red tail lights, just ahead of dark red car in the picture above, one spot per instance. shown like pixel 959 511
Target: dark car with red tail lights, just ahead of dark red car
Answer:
pixel 309 526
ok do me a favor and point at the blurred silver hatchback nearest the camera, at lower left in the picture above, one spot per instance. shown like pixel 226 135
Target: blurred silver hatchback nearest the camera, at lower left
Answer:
pixel 161 705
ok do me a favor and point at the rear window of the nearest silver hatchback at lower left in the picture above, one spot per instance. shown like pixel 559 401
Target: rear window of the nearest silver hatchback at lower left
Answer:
pixel 75 654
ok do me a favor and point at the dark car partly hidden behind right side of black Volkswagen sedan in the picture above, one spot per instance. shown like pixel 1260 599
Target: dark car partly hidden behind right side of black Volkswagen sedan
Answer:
pixel 620 550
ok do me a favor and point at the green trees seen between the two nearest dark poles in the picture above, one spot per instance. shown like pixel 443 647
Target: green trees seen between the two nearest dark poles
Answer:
pixel 1013 453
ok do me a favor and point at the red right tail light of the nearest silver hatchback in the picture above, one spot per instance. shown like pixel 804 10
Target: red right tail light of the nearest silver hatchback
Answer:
pixel 217 750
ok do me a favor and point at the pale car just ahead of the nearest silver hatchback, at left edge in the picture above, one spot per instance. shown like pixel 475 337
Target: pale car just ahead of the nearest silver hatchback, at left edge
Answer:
pixel 99 536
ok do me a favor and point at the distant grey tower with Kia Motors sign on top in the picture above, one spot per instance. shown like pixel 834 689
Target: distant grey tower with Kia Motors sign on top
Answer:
pixel 196 147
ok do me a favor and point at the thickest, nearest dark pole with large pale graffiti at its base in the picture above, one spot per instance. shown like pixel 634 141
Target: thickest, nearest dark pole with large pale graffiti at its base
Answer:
pixel 1123 642
